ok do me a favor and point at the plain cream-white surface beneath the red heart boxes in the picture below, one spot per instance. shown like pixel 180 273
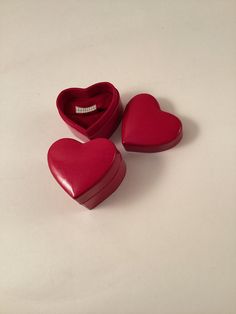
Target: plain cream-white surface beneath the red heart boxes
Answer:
pixel 165 242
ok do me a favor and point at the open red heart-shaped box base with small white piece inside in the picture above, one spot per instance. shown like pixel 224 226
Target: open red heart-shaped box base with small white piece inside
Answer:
pixel 100 122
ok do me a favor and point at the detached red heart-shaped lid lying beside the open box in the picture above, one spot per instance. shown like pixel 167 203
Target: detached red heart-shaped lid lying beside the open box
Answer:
pixel 146 128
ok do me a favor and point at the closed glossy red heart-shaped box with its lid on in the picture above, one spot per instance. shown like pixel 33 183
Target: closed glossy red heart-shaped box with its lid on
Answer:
pixel 88 172
